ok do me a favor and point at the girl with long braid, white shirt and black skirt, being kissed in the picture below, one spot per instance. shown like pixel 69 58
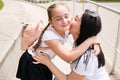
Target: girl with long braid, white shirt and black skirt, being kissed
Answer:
pixel 51 42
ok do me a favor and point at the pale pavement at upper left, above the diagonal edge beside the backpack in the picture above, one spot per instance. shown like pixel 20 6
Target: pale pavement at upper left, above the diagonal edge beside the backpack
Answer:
pixel 13 13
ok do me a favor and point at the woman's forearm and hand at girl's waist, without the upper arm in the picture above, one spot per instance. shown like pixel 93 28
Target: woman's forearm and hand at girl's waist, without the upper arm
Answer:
pixel 45 59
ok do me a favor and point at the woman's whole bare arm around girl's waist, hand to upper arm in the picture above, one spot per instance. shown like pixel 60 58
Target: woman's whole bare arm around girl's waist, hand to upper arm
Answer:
pixel 45 59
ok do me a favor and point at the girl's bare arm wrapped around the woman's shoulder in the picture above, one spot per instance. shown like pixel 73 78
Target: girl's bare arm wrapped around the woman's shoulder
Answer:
pixel 67 55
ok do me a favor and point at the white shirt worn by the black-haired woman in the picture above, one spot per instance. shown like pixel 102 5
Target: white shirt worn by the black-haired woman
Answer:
pixel 88 66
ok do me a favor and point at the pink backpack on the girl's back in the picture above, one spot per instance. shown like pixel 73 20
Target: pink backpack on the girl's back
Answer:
pixel 30 34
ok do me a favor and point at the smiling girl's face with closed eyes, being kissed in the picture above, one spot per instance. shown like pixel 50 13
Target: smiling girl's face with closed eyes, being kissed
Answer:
pixel 61 19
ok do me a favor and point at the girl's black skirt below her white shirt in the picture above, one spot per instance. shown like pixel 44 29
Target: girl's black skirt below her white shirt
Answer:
pixel 29 71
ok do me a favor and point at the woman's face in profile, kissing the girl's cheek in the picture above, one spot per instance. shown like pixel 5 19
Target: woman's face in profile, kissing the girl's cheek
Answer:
pixel 75 25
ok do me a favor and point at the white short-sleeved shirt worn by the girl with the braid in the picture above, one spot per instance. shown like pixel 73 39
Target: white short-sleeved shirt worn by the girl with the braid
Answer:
pixel 50 34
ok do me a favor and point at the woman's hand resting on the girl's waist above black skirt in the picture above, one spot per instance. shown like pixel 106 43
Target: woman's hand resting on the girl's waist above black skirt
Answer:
pixel 41 58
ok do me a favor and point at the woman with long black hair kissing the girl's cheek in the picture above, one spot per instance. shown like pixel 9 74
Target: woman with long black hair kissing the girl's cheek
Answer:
pixel 87 66
